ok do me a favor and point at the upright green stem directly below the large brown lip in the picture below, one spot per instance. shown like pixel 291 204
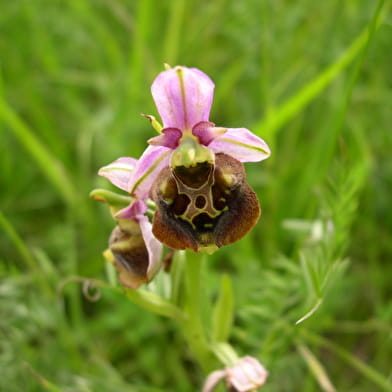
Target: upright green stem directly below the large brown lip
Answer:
pixel 192 327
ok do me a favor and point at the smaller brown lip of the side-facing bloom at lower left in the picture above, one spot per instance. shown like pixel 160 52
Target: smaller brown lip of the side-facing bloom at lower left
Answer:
pixel 130 254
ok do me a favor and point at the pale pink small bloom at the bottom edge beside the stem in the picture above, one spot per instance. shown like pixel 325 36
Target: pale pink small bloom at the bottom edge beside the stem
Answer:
pixel 245 376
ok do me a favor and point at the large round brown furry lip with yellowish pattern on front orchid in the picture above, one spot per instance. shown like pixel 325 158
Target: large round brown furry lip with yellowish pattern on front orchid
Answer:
pixel 204 207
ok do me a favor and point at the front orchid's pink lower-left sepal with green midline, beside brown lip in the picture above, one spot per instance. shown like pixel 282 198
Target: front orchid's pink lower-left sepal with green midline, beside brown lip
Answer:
pixel 153 160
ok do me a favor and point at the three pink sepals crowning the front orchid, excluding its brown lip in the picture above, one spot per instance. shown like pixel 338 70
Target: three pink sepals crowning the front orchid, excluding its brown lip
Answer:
pixel 183 97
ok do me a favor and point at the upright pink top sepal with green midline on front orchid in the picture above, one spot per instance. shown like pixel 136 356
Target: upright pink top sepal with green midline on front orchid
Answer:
pixel 183 97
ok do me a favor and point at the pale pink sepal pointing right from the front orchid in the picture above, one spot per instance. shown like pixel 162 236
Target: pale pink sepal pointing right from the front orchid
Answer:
pixel 241 144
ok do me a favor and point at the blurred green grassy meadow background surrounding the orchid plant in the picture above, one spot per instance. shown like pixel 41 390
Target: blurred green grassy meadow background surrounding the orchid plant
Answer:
pixel 311 78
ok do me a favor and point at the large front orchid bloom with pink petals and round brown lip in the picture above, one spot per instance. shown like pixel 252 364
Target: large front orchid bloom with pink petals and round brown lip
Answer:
pixel 192 170
